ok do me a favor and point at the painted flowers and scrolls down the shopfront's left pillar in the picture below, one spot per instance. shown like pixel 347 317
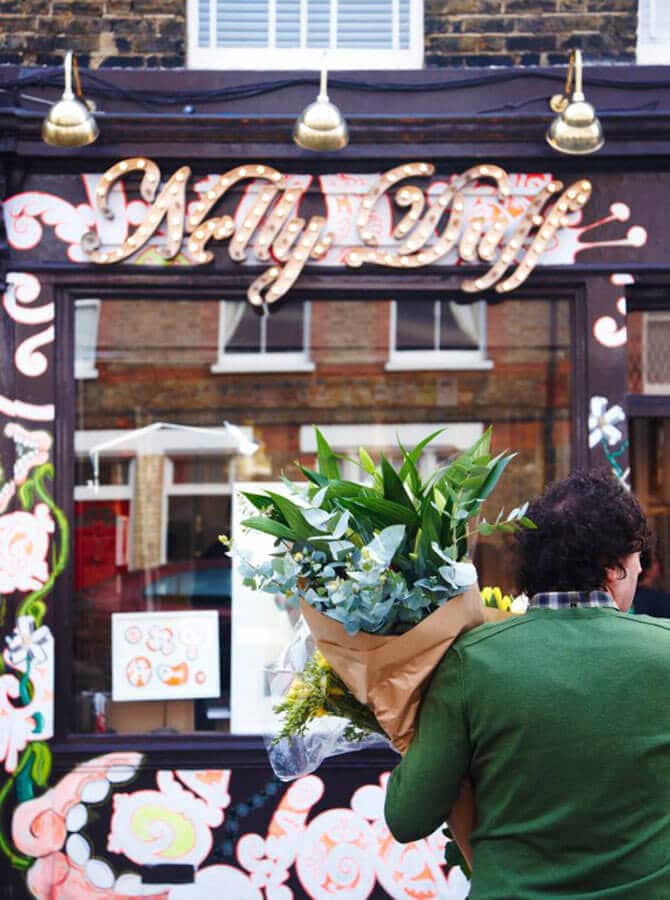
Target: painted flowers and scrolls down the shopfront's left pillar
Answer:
pixel 33 553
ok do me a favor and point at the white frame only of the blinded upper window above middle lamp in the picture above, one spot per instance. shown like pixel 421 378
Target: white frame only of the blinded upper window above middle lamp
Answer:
pixel 282 58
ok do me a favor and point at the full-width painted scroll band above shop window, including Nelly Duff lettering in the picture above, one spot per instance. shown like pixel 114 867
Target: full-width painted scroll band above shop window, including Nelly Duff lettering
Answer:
pixel 512 223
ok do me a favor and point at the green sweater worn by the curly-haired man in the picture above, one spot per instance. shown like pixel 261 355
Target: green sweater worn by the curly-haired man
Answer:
pixel 562 719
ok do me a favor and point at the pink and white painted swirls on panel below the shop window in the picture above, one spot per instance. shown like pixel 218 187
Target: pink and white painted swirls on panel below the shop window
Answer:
pixel 342 852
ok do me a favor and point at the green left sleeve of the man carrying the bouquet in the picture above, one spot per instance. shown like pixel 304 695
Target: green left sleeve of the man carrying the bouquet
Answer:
pixel 424 786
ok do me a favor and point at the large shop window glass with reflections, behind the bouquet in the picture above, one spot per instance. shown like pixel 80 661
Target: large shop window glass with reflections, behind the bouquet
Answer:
pixel 166 638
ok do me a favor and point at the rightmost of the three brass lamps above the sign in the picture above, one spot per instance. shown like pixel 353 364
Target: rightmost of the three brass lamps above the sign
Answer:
pixel 576 129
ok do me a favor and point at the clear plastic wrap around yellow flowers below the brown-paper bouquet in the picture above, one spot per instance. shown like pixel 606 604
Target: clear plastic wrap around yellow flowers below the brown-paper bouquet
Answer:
pixel 307 695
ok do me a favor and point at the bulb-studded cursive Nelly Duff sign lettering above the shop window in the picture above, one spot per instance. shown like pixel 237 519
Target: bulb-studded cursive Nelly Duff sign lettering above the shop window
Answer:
pixel 474 217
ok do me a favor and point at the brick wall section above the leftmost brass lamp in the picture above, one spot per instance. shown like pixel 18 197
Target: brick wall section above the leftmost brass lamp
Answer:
pixel 103 33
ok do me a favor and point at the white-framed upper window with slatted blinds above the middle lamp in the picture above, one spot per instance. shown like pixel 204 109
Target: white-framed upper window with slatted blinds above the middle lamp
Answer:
pixel 290 34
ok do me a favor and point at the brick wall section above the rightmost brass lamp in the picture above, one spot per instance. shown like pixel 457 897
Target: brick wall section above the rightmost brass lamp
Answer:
pixel 527 32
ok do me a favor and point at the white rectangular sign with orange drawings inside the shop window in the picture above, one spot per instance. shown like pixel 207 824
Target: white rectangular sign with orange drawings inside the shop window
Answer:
pixel 165 655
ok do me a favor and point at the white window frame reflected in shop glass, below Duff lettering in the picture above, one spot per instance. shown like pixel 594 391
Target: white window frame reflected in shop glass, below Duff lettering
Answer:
pixel 413 360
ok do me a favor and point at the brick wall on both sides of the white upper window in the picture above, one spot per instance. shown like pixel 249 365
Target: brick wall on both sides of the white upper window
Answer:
pixel 152 33
